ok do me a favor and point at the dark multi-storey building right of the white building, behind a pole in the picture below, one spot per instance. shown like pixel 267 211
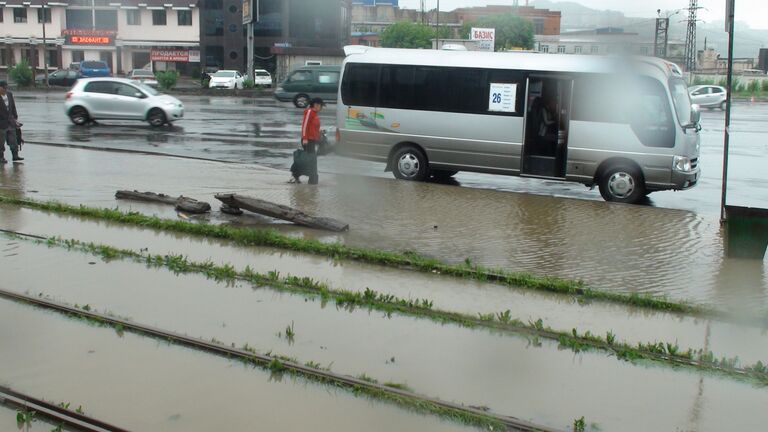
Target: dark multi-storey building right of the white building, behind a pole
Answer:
pixel 288 33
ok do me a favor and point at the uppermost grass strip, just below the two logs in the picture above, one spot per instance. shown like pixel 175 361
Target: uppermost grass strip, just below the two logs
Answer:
pixel 338 251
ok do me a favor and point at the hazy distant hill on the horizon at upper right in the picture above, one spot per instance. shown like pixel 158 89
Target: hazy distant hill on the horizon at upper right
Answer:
pixel 576 16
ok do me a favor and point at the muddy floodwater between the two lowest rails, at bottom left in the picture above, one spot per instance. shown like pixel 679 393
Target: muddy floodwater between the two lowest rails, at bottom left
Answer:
pixel 146 385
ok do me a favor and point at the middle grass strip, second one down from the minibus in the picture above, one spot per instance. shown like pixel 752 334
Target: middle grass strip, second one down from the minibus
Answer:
pixel 665 353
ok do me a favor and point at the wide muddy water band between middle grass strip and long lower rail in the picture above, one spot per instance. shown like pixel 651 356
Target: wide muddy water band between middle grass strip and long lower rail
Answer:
pixel 509 374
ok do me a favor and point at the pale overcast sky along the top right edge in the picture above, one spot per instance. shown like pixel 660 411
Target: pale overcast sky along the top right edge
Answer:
pixel 754 12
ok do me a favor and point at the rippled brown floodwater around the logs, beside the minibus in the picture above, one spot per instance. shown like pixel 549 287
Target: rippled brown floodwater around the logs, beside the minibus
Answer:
pixel 612 247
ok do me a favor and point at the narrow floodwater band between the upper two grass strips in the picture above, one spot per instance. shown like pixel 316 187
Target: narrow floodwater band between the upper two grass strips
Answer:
pixel 629 324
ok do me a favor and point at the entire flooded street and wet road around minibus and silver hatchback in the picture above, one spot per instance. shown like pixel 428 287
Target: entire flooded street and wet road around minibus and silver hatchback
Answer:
pixel 671 247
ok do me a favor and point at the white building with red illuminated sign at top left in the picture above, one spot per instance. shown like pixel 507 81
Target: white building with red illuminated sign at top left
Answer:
pixel 126 34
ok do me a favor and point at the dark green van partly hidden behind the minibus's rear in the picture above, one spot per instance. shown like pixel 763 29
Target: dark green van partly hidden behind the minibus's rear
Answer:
pixel 309 82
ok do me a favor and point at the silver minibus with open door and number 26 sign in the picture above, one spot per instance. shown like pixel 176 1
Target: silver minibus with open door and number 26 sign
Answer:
pixel 624 124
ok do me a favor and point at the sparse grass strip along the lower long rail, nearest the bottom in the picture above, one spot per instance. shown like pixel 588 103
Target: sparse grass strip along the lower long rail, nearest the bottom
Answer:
pixel 278 365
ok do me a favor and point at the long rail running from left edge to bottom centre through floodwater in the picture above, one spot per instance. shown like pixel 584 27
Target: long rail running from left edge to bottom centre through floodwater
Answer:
pixel 464 414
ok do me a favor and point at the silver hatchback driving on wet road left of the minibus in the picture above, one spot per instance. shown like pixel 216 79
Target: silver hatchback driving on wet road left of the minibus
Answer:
pixel 120 99
